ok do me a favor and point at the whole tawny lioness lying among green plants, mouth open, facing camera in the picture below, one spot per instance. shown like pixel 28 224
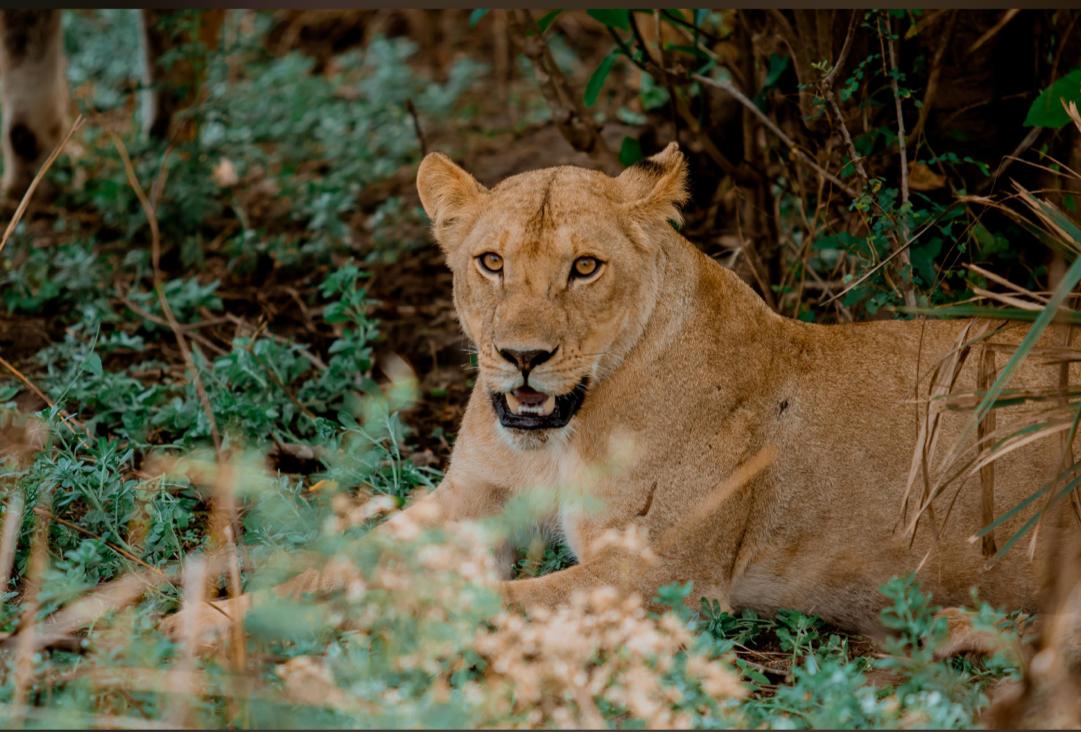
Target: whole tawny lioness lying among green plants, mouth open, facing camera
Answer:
pixel 711 379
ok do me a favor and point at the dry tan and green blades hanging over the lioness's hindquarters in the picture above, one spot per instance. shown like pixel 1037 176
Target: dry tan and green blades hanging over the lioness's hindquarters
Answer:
pixel 1040 412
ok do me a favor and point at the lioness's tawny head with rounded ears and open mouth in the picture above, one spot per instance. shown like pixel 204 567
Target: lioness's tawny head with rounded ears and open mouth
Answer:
pixel 555 277
